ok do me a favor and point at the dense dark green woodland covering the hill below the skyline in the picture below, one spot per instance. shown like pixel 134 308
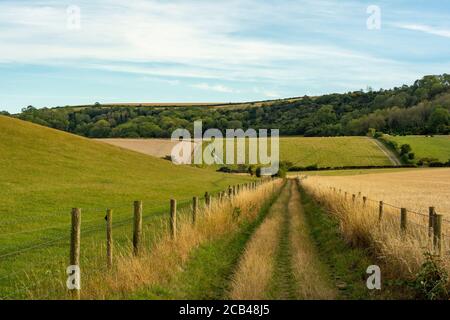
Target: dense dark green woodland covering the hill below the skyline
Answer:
pixel 421 108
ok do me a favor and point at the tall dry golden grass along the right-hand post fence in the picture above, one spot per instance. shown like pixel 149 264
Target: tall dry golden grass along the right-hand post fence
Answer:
pixel 401 251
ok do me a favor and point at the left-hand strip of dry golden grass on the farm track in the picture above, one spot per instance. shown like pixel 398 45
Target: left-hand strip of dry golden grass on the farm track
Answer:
pixel 252 278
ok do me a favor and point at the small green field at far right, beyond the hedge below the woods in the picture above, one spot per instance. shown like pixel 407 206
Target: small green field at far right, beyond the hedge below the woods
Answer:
pixel 437 147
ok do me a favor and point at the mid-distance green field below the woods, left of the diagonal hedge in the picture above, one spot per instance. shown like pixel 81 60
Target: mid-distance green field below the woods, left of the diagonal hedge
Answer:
pixel 330 151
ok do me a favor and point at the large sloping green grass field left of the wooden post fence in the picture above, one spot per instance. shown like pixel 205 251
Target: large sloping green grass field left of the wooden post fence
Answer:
pixel 44 173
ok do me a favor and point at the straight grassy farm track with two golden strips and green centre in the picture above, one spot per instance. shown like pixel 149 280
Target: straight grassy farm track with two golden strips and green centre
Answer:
pixel 280 261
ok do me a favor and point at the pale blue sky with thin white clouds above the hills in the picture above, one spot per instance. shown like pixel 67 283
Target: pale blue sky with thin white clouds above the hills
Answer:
pixel 212 51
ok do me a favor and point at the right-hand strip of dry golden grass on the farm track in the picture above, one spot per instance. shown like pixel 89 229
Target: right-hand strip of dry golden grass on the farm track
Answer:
pixel 307 270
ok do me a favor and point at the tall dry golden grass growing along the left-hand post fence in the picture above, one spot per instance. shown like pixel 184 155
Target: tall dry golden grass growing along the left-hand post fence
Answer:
pixel 161 262
